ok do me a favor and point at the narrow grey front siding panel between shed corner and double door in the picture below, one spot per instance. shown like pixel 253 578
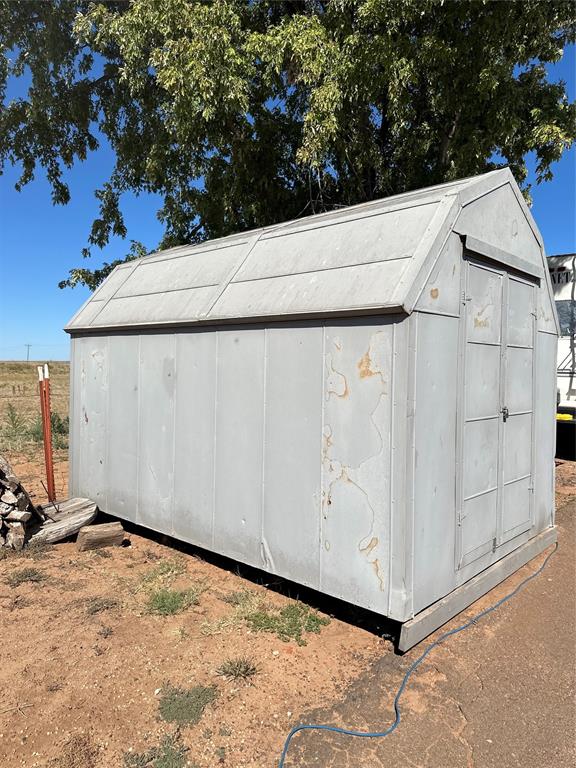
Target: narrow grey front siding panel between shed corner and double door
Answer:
pixel 435 436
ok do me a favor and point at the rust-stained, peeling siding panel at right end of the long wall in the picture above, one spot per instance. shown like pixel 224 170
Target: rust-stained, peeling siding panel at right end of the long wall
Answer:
pixel 356 463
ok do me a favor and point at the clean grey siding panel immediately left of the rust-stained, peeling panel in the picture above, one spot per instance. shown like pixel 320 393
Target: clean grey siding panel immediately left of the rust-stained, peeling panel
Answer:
pixel 292 448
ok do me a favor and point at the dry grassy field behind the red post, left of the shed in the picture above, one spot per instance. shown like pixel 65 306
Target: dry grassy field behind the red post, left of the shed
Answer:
pixel 21 424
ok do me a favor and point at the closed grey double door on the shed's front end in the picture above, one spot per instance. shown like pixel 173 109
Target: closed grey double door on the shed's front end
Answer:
pixel 496 426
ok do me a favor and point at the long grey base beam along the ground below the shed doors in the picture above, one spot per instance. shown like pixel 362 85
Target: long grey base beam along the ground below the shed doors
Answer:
pixel 437 614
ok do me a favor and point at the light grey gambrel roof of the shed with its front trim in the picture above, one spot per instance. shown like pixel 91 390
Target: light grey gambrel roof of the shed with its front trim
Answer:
pixel 362 259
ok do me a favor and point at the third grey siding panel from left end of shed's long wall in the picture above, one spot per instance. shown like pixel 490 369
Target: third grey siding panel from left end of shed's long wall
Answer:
pixel 156 432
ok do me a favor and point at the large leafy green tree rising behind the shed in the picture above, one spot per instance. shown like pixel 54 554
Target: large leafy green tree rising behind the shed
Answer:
pixel 242 114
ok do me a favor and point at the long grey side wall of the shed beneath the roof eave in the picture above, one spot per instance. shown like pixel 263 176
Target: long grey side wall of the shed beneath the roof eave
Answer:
pixel 272 445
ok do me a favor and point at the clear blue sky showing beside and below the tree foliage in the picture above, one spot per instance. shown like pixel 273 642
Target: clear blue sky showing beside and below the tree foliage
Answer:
pixel 40 242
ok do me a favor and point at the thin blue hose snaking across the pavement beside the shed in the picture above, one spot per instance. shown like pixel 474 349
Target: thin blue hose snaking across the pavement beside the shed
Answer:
pixel 412 668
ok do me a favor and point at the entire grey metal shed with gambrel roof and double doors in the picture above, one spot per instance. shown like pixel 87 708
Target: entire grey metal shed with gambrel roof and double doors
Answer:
pixel 361 401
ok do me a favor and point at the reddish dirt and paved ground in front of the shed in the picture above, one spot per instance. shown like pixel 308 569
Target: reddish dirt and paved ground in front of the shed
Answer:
pixel 85 665
